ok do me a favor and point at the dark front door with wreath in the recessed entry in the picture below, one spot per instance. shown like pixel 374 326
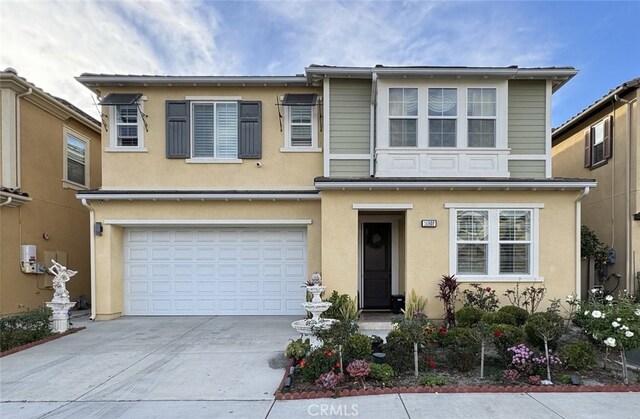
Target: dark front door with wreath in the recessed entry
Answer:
pixel 377 265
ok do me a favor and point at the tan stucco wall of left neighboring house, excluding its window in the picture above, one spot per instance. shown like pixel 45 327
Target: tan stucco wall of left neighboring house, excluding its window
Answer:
pixel 53 210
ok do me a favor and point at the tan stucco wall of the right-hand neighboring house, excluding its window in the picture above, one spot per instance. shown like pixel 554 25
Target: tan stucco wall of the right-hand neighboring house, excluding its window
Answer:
pixel 604 210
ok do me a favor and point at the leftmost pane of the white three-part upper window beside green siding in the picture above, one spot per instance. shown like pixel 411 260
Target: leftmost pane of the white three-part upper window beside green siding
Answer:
pixel 403 117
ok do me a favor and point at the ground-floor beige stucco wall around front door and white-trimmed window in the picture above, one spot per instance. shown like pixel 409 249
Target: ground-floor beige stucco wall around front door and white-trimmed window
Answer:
pixel 427 250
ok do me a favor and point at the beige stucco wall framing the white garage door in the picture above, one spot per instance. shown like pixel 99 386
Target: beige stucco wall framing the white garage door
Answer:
pixel 109 246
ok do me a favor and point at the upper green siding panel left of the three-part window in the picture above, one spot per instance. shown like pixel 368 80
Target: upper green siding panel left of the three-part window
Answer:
pixel 350 107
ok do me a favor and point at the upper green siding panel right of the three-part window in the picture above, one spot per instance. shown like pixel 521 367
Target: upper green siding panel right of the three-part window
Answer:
pixel 527 113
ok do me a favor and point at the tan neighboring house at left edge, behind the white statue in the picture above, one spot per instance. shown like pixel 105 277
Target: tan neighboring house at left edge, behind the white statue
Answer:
pixel 50 149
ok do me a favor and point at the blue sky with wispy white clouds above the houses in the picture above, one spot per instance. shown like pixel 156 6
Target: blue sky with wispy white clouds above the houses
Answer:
pixel 50 42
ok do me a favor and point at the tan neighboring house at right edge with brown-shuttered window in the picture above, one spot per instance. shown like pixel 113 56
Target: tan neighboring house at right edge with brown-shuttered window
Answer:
pixel 602 142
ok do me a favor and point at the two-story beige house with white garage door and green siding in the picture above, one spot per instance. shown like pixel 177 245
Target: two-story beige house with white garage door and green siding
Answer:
pixel 222 195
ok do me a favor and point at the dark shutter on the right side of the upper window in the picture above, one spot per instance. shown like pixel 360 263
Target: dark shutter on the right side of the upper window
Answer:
pixel 250 130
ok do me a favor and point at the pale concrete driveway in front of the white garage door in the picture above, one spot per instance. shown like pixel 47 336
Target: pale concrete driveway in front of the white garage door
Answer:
pixel 234 358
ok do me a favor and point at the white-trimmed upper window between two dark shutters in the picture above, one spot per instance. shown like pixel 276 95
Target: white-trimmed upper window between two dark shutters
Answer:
pixel 214 127
